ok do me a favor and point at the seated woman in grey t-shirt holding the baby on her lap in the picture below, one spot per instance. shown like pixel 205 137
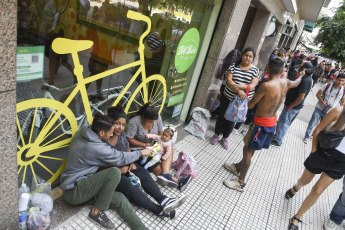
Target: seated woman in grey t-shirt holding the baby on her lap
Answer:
pixel 148 121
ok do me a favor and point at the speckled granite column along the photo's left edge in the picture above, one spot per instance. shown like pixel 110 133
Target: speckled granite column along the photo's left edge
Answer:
pixel 8 150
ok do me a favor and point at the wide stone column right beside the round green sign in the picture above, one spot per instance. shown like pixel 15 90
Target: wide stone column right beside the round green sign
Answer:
pixel 226 33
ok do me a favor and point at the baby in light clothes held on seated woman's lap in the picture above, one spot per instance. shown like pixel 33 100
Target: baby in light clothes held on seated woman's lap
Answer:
pixel 161 149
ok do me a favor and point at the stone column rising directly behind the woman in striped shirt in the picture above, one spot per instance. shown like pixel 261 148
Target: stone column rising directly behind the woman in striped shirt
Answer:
pixel 256 34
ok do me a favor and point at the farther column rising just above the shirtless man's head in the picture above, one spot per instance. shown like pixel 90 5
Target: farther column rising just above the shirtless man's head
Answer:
pixel 268 45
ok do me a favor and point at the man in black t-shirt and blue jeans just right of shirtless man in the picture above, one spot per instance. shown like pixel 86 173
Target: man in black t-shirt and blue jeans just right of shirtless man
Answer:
pixel 293 104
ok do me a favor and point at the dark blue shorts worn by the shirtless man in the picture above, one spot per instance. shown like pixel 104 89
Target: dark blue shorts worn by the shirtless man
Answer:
pixel 259 137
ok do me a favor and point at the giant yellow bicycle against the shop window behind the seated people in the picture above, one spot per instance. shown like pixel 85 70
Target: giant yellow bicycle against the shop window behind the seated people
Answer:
pixel 35 147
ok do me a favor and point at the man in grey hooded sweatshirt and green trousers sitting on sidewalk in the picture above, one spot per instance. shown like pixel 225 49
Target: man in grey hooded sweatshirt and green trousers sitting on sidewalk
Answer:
pixel 81 183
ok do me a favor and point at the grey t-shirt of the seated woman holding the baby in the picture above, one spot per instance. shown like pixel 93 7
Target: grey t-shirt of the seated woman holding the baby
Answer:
pixel 135 130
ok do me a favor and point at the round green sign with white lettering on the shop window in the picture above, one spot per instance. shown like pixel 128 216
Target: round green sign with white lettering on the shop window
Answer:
pixel 187 50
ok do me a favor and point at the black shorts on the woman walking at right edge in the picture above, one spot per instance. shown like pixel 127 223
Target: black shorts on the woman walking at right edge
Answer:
pixel 331 162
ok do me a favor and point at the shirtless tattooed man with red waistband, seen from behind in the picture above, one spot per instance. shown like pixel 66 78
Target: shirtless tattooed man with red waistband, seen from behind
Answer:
pixel 268 99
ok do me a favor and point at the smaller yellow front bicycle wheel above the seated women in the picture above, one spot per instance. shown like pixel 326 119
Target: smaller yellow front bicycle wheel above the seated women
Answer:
pixel 156 90
